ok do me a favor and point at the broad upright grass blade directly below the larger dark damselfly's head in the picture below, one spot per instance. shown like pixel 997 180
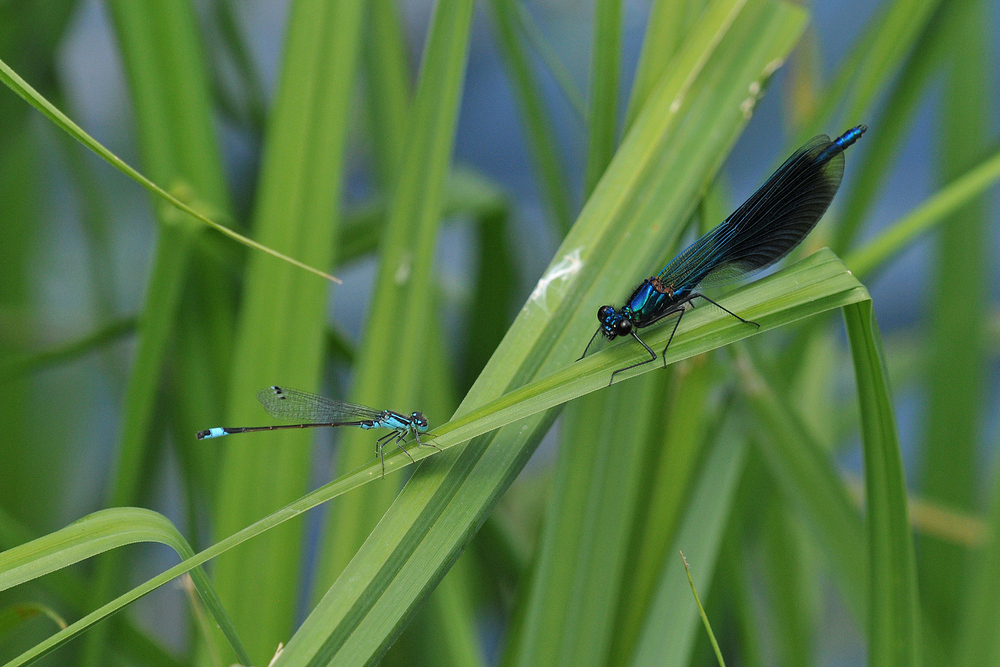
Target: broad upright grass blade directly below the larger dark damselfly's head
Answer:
pixel 583 558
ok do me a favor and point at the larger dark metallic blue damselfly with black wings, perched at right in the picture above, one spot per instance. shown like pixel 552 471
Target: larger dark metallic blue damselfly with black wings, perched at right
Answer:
pixel 764 229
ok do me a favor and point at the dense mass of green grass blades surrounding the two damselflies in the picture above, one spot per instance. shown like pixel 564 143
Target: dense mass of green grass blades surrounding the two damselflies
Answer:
pixel 729 455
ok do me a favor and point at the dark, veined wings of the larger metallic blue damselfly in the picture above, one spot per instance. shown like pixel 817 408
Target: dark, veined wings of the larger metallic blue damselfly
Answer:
pixel 768 225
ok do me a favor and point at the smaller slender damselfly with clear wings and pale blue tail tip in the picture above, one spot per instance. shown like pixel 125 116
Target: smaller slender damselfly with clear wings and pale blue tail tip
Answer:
pixel 312 410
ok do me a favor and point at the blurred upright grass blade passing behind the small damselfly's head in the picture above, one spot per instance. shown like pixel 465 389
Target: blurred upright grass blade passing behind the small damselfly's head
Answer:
pixel 389 371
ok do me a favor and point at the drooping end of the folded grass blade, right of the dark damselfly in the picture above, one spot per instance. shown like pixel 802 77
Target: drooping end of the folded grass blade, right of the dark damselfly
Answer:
pixel 894 610
